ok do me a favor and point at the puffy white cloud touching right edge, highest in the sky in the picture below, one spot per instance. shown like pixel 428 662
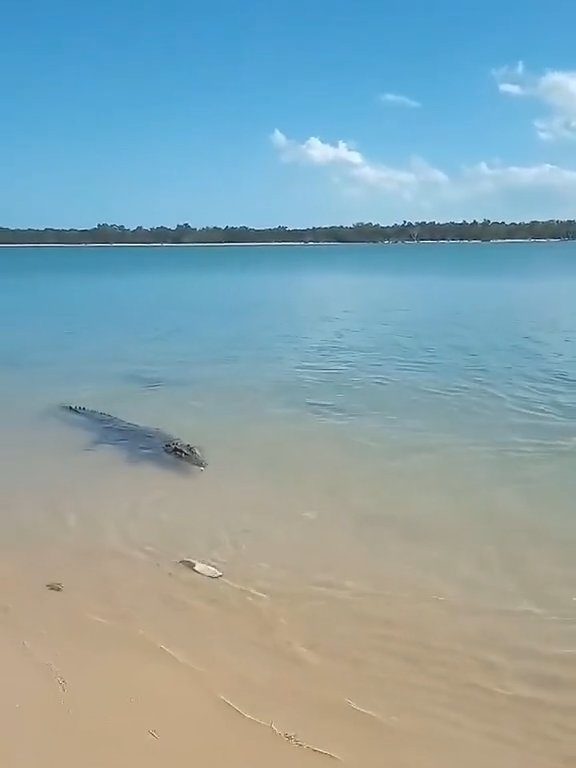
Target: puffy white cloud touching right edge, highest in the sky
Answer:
pixel 555 89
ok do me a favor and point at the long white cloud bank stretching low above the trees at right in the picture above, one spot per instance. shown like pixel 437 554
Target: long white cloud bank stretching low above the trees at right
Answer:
pixel 418 181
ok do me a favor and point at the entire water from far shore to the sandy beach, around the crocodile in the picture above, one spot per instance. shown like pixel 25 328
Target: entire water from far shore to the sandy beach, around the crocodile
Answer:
pixel 391 442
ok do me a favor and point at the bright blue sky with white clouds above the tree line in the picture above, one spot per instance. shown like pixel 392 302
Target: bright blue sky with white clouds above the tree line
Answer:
pixel 265 113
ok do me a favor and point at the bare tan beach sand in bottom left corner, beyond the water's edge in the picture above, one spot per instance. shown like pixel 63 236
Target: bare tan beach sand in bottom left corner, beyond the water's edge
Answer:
pixel 79 687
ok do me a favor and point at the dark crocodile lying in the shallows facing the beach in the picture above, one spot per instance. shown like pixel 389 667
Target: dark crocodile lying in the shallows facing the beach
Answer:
pixel 148 442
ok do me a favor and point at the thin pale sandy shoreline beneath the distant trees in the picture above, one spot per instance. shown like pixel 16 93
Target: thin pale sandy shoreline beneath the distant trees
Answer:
pixel 282 244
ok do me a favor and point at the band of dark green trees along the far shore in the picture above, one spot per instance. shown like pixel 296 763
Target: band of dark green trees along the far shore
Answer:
pixel 357 233
